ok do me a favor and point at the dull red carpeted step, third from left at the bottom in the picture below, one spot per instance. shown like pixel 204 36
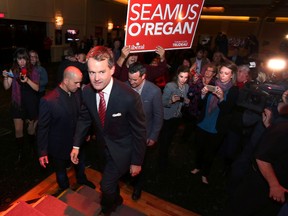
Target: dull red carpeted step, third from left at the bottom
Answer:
pixel 80 202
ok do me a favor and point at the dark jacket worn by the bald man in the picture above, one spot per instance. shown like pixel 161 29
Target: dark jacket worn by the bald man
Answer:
pixel 57 123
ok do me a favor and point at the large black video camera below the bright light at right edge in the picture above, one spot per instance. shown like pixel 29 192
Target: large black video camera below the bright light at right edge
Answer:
pixel 257 96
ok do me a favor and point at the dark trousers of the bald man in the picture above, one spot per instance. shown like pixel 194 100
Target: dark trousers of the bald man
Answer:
pixel 60 166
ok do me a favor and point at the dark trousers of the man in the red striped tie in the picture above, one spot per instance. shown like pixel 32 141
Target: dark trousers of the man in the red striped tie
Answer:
pixel 109 184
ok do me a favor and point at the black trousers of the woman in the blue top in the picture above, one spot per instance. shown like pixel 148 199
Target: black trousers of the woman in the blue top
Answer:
pixel 207 146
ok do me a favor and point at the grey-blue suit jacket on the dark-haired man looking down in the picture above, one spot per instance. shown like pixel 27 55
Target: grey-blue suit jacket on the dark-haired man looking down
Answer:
pixel 152 103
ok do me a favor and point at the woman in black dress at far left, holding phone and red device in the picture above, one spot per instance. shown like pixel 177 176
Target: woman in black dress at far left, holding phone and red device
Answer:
pixel 24 106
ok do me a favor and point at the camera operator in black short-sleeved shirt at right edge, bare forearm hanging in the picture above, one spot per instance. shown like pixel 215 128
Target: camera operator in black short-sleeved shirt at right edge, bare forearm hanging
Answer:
pixel 264 186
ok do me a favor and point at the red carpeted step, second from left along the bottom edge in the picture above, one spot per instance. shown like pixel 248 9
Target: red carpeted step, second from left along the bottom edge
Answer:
pixel 50 205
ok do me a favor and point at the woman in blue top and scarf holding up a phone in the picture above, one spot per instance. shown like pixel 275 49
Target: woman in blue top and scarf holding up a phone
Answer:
pixel 218 105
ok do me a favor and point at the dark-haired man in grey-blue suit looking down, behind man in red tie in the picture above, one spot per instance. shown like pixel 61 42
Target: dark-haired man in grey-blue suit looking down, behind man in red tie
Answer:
pixel 152 103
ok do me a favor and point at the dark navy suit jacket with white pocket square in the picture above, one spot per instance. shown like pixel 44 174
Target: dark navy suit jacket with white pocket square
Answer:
pixel 124 131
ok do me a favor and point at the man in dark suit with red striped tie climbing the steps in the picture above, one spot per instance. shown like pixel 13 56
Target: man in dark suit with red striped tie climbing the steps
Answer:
pixel 121 126
